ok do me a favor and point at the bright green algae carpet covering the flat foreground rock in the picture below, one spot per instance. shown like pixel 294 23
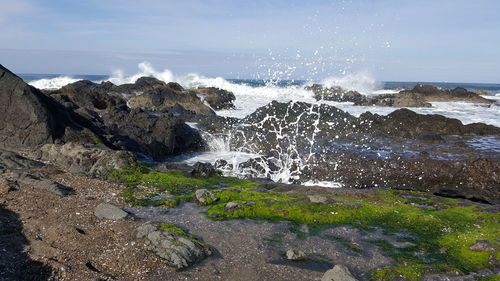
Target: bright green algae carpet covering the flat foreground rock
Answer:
pixel 442 229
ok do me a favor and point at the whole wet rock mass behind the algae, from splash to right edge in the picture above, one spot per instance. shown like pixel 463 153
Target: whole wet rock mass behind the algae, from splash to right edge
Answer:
pixel 404 149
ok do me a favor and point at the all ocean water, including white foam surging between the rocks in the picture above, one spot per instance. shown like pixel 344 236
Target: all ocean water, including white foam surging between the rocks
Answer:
pixel 251 94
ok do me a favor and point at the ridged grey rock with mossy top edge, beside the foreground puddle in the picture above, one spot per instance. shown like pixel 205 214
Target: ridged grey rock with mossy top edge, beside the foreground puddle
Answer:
pixel 179 250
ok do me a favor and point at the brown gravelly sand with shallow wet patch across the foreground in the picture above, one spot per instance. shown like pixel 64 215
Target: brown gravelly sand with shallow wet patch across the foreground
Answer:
pixel 47 237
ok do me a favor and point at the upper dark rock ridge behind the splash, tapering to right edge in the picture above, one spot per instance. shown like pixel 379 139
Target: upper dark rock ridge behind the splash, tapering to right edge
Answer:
pixel 277 126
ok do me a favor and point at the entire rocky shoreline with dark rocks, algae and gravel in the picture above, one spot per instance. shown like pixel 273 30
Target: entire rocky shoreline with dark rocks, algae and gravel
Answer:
pixel 78 202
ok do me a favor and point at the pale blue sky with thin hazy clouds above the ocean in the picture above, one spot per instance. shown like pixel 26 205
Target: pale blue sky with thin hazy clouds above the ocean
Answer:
pixel 392 40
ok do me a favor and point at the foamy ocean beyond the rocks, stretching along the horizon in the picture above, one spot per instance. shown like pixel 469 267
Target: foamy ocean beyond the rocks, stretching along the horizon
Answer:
pixel 252 93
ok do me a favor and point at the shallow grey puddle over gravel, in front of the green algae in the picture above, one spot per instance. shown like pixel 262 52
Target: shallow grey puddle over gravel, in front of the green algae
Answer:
pixel 259 256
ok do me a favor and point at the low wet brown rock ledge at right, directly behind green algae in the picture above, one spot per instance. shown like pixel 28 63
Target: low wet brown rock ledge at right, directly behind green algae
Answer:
pixel 476 179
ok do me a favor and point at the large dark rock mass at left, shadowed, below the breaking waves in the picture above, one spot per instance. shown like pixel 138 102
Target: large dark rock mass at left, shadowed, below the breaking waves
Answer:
pixel 88 113
